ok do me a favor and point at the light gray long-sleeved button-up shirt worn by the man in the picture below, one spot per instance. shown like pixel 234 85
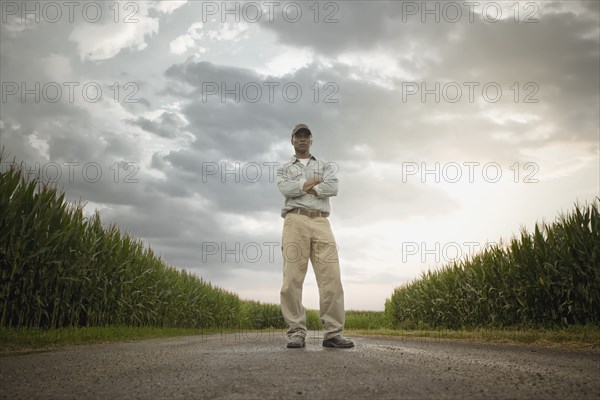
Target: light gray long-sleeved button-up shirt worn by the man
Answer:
pixel 291 177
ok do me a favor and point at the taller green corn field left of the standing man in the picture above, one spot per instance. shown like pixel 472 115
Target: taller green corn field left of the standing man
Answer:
pixel 59 268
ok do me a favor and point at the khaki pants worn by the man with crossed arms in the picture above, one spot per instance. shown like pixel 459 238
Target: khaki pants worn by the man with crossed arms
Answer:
pixel 307 238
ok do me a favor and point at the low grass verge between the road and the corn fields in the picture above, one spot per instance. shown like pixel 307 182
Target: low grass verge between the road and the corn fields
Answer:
pixel 23 341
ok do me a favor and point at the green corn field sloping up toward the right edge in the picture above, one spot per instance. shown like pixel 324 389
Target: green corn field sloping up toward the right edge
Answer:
pixel 550 277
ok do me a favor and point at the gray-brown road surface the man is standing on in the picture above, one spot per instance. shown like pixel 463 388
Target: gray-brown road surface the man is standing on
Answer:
pixel 258 366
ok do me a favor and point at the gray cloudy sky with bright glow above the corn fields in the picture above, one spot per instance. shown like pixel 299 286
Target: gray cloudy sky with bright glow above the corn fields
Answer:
pixel 451 124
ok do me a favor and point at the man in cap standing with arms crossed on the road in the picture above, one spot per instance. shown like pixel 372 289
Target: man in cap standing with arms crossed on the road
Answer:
pixel 307 184
